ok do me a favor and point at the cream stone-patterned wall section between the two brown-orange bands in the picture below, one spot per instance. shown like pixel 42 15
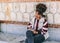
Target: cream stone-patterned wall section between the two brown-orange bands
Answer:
pixel 24 11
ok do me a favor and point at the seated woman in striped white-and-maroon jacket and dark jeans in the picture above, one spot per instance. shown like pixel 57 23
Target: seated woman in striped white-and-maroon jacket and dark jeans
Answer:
pixel 38 28
